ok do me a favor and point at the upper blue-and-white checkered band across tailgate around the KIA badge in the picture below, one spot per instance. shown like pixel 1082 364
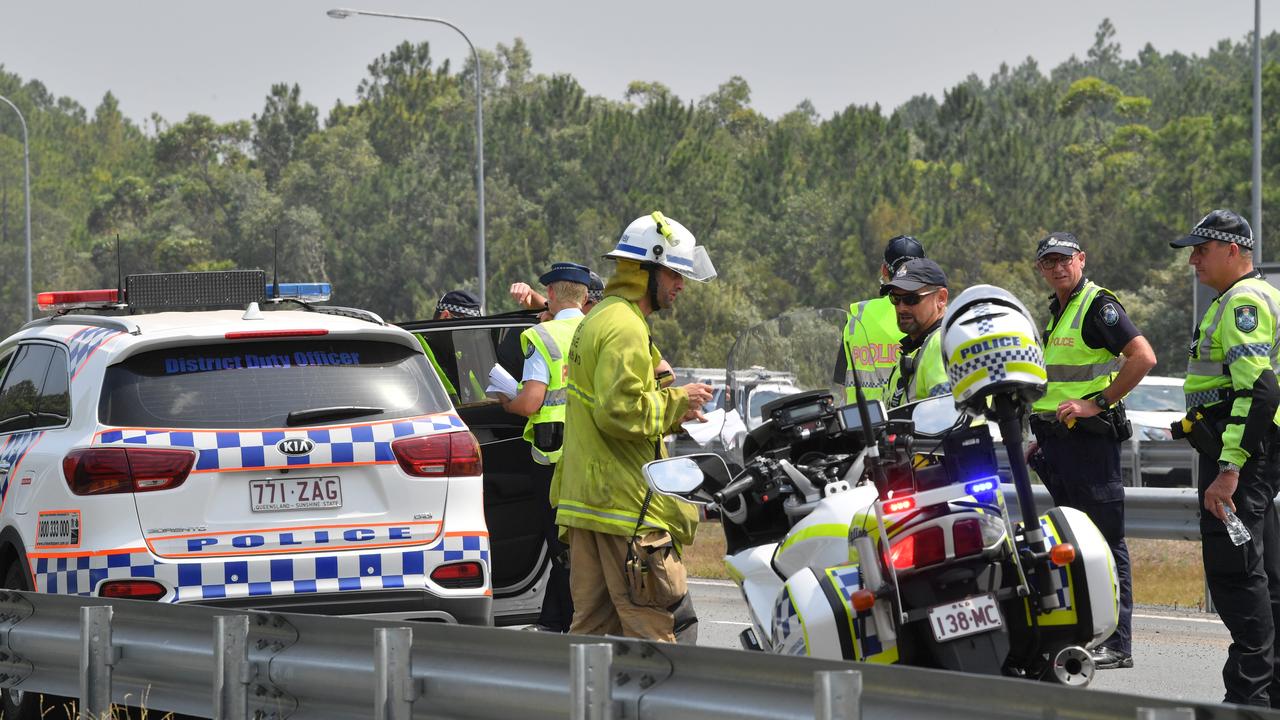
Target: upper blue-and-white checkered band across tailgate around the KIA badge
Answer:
pixel 240 450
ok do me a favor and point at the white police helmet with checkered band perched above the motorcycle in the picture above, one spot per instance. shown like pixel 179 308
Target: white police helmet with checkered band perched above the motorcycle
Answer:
pixel 990 345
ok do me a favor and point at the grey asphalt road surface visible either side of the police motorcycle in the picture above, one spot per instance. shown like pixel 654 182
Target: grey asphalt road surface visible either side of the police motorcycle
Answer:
pixel 1177 655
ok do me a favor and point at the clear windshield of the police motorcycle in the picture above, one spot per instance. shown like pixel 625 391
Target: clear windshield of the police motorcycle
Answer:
pixel 797 352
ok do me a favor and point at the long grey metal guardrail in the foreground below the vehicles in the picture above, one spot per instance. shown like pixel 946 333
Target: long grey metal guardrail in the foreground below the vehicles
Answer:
pixel 208 662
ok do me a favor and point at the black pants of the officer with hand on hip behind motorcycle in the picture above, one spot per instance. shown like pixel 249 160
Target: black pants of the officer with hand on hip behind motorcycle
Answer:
pixel 1082 471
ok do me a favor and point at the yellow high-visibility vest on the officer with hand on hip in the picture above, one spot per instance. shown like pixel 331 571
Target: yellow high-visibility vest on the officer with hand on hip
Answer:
pixel 1075 371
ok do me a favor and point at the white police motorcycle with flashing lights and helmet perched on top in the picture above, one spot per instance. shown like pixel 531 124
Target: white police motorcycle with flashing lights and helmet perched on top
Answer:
pixel 886 539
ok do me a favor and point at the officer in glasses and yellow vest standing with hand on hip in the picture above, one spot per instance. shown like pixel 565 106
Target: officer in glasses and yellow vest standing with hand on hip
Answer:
pixel 1080 423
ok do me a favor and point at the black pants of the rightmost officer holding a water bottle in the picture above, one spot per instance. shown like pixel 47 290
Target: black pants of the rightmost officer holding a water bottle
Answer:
pixel 1245 582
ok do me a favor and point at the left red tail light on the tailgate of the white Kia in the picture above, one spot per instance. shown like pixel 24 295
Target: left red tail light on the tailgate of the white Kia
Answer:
pixel 104 471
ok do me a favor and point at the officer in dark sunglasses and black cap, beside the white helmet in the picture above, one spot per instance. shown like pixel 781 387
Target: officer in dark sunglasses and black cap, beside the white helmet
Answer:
pixel 918 294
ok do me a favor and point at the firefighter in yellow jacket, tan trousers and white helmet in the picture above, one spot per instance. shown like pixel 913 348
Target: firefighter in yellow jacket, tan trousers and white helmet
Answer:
pixel 625 541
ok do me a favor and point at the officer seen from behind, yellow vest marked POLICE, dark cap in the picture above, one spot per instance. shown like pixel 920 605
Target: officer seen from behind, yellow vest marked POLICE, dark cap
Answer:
pixel 872 336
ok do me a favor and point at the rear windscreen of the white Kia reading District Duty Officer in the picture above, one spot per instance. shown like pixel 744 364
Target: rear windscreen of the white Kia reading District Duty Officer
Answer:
pixel 271 385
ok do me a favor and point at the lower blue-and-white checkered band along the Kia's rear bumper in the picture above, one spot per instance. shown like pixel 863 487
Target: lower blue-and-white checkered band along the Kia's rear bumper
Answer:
pixel 237 578
